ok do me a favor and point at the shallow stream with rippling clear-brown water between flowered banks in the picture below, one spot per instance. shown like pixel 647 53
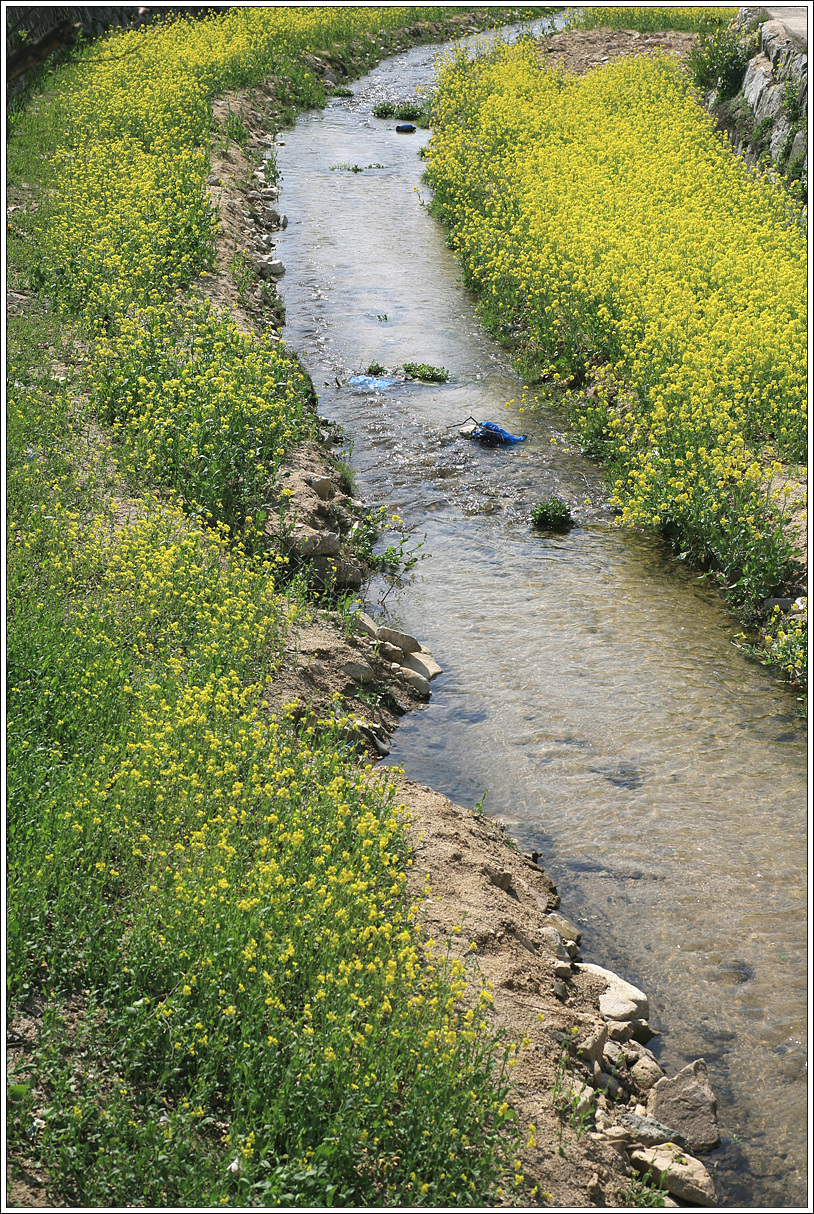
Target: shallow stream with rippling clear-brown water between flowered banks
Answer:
pixel 590 683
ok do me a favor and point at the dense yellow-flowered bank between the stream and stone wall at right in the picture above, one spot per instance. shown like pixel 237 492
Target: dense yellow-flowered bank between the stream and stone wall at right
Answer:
pixel 644 276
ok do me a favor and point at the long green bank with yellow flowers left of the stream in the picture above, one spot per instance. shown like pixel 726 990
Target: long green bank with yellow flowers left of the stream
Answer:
pixel 207 905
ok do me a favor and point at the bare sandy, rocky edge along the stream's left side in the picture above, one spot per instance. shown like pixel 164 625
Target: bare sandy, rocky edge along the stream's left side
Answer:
pixel 597 1110
